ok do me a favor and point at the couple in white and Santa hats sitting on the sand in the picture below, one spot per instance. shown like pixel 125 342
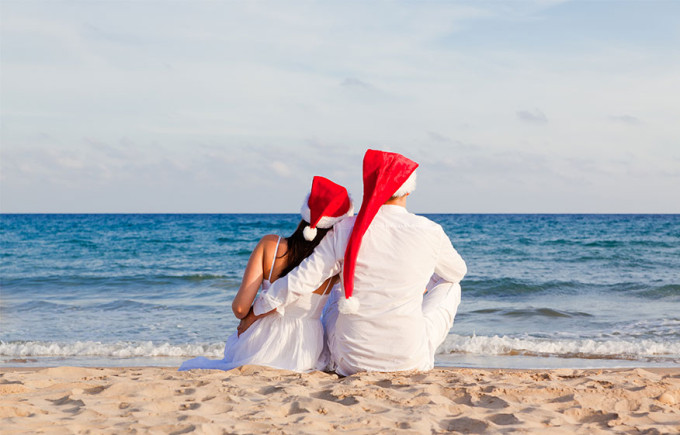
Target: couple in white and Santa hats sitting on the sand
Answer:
pixel 375 292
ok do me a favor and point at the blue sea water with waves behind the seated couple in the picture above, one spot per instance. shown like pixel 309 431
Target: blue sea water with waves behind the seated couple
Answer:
pixel 541 291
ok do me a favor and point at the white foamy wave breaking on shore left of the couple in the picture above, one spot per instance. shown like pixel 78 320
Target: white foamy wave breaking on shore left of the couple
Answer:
pixel 118 350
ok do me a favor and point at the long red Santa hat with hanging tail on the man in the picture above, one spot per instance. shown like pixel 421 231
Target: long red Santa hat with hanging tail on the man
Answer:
pixel 385 175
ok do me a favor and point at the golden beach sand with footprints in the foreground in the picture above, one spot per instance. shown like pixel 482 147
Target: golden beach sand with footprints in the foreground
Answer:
pixel 254 399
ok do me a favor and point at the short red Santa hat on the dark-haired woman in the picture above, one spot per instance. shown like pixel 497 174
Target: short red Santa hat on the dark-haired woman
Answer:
pixel 327 204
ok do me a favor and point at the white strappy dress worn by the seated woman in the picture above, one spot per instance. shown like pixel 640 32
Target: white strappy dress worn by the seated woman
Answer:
pixel 292 340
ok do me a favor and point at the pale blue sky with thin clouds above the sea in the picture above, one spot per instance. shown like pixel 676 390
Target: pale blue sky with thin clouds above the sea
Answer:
pixel 233 106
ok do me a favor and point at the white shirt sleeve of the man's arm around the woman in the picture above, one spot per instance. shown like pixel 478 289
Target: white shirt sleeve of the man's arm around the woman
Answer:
pixel 315 269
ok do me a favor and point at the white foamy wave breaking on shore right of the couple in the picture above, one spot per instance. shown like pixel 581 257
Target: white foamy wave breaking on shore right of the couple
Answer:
pixel 576 348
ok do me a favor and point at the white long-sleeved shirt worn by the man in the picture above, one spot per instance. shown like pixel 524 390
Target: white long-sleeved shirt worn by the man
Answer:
pixel 398 255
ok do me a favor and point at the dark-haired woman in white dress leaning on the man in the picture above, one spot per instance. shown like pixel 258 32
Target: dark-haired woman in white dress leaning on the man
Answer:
pixel 290 338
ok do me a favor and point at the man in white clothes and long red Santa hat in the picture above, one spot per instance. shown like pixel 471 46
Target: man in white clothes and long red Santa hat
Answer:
pixel 387 256
